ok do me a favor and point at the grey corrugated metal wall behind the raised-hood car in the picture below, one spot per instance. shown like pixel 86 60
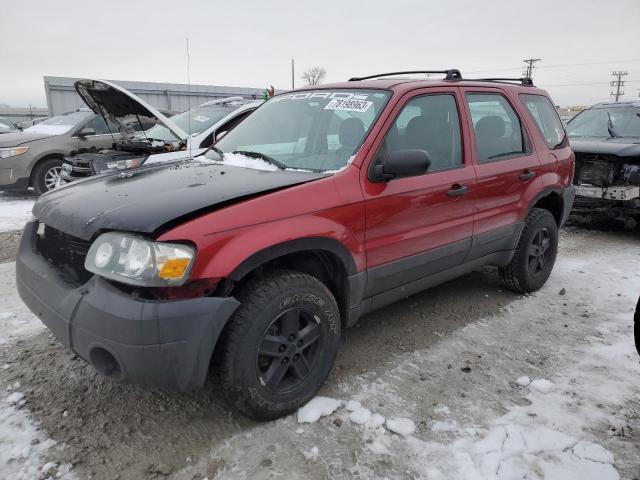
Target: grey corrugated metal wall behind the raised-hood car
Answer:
pixel 62 97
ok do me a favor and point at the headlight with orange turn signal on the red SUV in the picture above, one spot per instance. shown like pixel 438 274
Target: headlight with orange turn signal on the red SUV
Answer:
pixel 137 261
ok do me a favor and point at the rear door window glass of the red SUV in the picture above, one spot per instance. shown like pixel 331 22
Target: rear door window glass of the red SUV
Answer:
pixel 497 128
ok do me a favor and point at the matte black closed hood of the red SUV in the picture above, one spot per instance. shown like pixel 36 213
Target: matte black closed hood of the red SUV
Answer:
pixel 147 198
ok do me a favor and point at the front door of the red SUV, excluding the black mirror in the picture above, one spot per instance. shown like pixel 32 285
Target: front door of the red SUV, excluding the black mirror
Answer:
pixel 417 226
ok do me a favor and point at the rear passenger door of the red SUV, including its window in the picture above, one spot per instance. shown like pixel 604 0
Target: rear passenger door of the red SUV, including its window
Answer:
pixel 505 164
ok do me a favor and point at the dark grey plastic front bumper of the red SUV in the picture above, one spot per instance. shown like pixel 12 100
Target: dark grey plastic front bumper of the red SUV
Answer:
pixel 165 344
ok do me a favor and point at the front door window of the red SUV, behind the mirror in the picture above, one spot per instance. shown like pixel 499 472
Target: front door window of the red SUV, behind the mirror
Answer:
pixel 429 123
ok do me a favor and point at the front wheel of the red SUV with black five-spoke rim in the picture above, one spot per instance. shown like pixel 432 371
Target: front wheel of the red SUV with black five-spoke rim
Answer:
pixel 277 312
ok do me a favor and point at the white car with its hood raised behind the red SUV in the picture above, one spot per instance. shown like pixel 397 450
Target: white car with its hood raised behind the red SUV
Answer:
pixel 196 130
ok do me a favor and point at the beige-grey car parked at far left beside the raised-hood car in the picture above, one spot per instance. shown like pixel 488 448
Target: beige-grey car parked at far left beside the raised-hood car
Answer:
pixel 33 157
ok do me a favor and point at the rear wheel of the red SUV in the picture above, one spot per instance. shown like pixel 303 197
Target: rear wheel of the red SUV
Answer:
pixel 535 254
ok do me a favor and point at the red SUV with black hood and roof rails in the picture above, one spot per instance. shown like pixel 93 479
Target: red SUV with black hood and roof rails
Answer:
pixel 323 205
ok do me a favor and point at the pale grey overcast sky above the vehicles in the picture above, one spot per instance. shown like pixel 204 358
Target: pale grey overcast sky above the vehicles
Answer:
pixel 251 43
